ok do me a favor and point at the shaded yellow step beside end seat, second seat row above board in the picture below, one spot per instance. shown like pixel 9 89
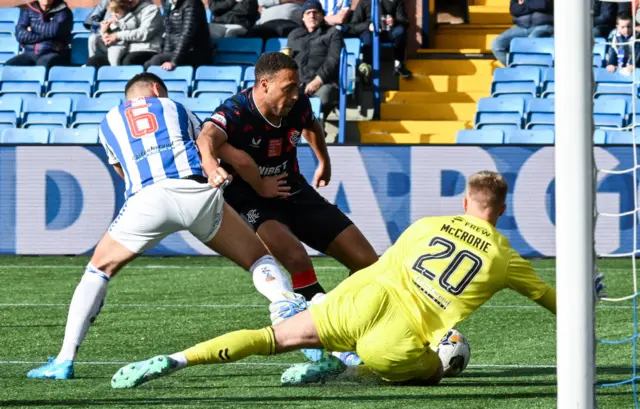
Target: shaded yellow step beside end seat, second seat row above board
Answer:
pixel 429 112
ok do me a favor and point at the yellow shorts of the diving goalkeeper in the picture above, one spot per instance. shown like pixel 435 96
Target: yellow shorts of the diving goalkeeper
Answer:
pixel 360 315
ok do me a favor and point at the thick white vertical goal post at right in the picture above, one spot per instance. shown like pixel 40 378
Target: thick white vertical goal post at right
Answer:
pixel 574 204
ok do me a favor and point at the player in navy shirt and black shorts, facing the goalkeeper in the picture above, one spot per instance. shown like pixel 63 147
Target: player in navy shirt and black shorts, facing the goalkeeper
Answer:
pixel 263 125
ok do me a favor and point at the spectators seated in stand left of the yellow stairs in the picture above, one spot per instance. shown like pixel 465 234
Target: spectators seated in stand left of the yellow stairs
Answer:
pixel 136 32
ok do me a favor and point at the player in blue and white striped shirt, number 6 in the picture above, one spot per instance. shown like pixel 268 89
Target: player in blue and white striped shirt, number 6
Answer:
pixel 163 153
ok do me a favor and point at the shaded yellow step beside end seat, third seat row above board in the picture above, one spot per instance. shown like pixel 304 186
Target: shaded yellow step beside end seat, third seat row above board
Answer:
pixel 447 83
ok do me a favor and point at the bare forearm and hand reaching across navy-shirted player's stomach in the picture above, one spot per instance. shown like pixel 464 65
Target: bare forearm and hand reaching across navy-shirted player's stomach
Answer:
pixel 270 186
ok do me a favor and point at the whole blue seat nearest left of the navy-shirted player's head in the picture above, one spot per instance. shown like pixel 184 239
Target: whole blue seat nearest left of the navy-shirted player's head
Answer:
pixel 221 82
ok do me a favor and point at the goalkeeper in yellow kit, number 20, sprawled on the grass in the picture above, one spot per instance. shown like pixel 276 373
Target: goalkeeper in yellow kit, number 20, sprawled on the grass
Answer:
pixel 439 271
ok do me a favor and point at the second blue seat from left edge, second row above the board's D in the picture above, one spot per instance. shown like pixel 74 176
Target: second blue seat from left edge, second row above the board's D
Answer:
pixel 46 112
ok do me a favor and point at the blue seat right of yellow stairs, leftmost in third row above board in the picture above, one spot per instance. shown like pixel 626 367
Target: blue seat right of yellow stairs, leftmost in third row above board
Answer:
pixel 518 81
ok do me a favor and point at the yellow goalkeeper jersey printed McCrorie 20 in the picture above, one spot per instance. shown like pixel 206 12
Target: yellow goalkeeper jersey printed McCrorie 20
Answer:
pixel 442 269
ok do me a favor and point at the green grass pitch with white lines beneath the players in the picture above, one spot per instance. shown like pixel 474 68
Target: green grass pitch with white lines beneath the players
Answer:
pixel 162 305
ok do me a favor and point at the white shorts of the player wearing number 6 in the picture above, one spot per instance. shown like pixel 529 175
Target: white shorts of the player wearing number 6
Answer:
pixel 166 207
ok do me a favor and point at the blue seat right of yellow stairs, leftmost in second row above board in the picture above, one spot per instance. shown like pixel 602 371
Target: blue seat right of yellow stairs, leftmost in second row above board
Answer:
pixel 499 113
